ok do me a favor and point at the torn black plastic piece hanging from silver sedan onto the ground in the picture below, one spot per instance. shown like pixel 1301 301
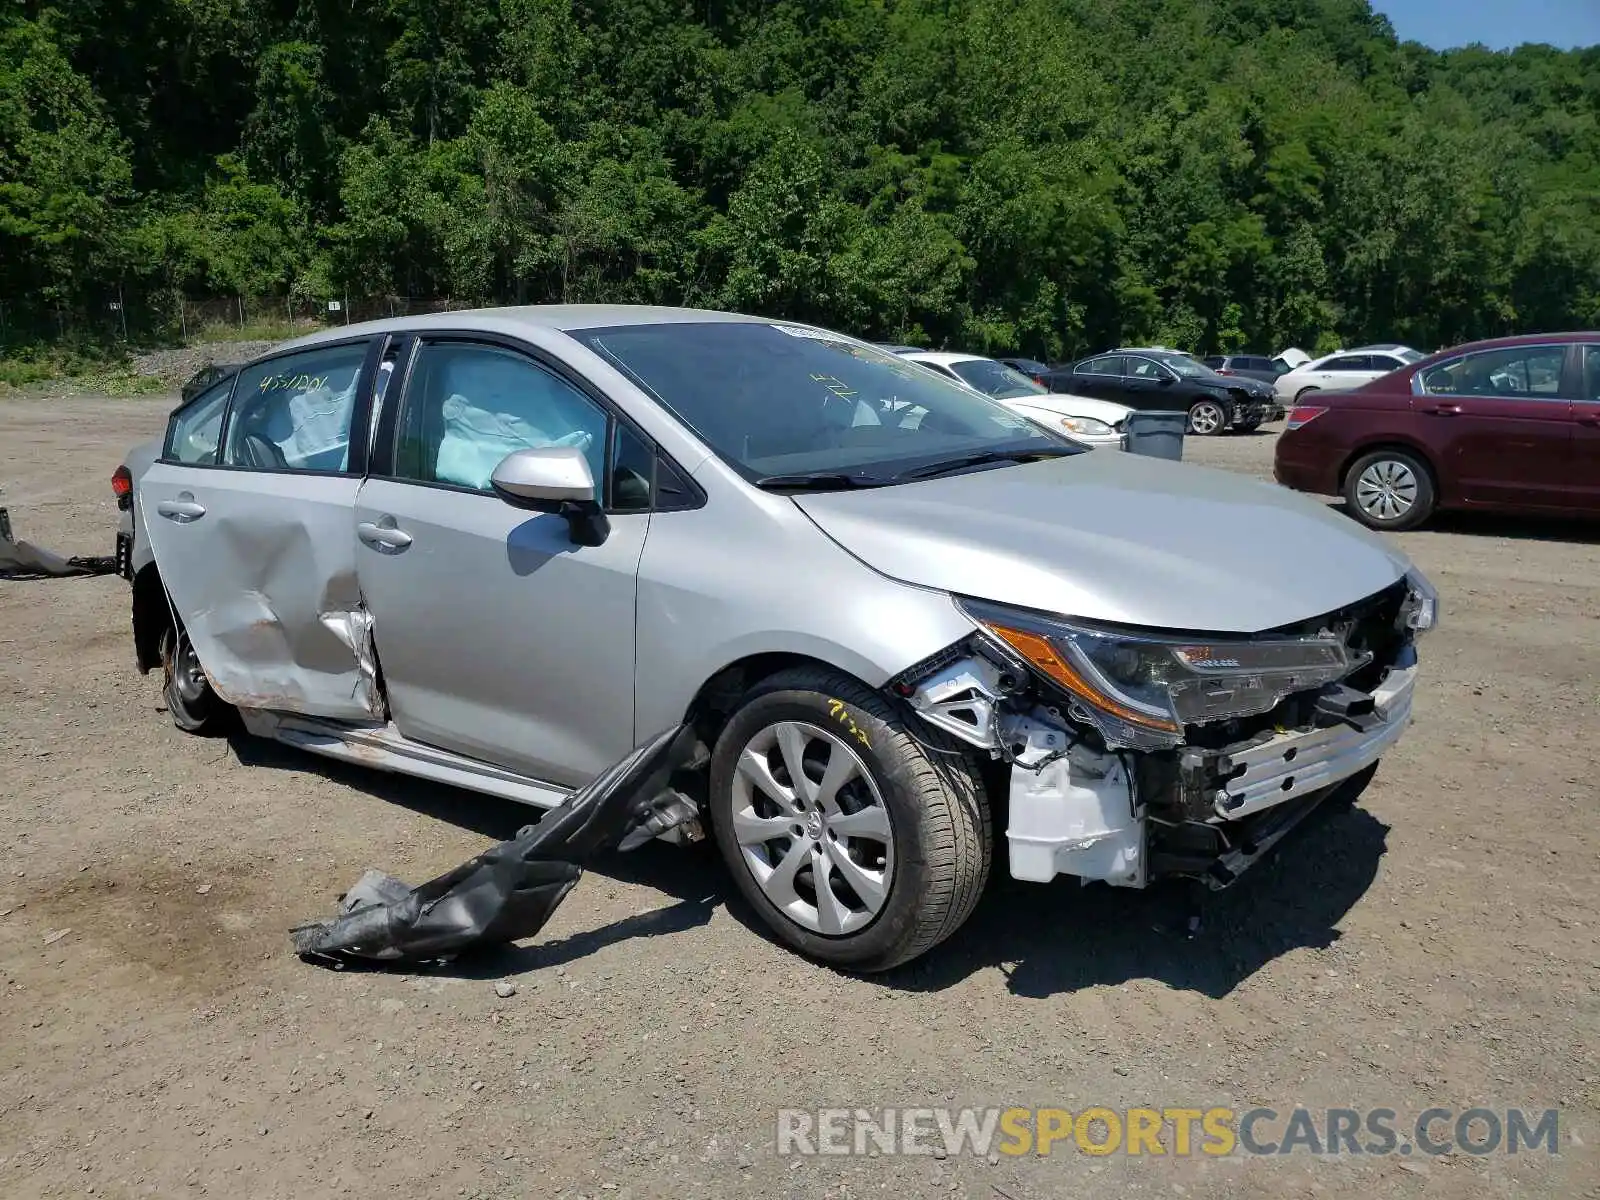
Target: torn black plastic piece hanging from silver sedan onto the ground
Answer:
pixel 510 892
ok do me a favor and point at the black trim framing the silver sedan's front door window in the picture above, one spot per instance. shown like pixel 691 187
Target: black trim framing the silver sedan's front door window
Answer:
pixel 388 433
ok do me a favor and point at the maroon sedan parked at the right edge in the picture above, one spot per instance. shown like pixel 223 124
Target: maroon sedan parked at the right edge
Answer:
pixel 1510 425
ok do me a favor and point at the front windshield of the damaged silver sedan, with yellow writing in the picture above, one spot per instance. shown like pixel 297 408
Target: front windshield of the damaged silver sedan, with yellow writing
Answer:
pixel 780 401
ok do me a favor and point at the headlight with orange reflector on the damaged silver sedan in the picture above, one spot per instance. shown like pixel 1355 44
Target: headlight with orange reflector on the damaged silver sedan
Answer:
pixel 1142 689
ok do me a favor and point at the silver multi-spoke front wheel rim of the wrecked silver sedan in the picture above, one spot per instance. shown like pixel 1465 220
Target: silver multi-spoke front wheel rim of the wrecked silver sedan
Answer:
pixel 812 828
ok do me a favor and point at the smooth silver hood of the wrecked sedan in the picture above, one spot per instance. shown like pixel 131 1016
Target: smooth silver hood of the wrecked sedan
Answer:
pixel 1119 538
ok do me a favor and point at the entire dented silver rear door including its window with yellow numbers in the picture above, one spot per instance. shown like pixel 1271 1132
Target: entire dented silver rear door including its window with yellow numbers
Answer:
pixel 255 538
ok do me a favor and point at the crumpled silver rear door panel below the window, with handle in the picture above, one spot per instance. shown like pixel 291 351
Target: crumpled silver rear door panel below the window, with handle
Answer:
pixel 262 570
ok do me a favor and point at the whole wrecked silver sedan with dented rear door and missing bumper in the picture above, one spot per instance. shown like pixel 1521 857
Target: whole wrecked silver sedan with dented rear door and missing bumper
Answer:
pixel 500 550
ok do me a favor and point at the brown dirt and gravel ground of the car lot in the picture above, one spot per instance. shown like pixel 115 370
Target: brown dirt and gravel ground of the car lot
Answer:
pixel 1434 948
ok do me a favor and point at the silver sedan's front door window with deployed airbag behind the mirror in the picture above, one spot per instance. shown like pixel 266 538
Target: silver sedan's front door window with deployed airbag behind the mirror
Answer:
pixel 468 407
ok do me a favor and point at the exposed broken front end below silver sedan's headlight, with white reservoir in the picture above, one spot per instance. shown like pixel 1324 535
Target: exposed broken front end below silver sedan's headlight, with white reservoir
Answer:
pixel 1127 818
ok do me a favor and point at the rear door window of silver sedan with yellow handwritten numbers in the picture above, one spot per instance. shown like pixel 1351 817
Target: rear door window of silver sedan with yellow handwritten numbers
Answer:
pixel 295 414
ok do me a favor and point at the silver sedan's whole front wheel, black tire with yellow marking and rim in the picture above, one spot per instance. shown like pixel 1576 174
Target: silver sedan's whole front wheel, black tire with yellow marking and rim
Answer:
pixel 858 844
